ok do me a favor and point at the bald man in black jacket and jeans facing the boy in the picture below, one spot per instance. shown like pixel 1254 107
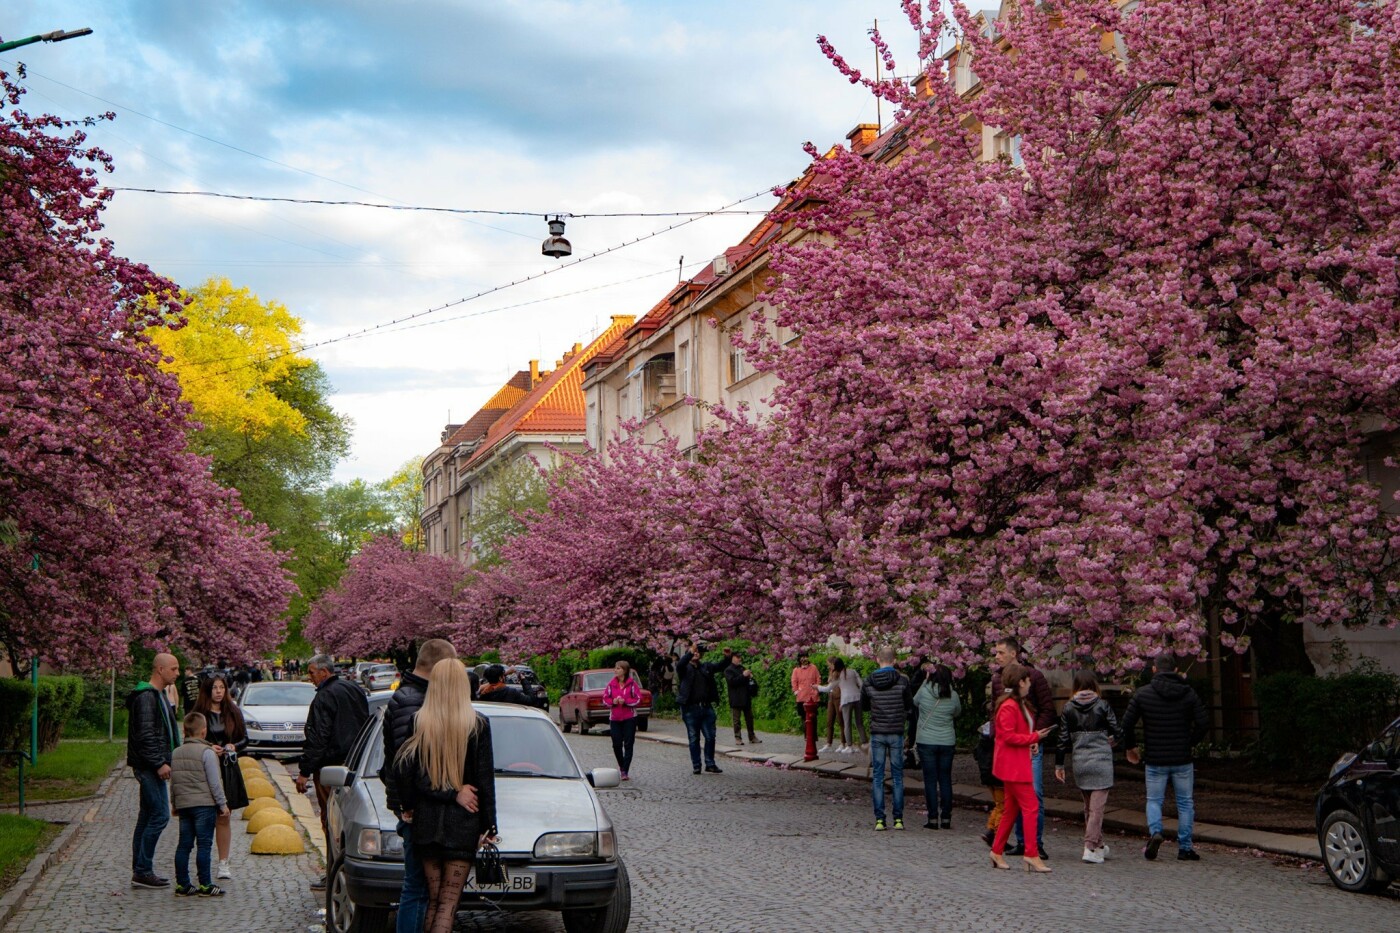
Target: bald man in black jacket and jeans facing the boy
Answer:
pixel 150 743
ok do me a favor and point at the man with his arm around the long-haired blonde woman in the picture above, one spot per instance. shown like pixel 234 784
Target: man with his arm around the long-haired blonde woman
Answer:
pixel 398 729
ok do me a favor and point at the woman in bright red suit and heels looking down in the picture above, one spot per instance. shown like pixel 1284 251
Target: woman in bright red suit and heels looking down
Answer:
pixel 1016 738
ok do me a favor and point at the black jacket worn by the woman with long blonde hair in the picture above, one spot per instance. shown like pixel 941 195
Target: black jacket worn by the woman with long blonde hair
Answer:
pixel 437 819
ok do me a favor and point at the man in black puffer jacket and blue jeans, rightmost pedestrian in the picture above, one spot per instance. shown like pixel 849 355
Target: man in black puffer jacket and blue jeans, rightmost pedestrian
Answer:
pixel 1174 721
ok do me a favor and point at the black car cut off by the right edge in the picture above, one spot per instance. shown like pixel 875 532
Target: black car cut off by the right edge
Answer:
pixel 1359 816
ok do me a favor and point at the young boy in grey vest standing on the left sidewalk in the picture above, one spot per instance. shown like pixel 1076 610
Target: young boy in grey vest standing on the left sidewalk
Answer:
pixel 198 799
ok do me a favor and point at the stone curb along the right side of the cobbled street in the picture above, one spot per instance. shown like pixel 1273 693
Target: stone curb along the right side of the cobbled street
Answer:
pixel 971 795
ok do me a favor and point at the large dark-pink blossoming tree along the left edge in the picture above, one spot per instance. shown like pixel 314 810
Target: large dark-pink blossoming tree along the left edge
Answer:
pixel 115 532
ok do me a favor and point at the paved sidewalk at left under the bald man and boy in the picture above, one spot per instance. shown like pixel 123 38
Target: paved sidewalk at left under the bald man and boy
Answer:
pixel 89 887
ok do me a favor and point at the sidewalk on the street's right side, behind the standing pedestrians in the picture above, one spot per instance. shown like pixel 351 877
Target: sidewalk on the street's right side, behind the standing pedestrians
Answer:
pixel 1060 802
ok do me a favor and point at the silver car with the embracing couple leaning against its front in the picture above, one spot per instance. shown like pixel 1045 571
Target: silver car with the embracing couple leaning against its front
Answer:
pixel 556 841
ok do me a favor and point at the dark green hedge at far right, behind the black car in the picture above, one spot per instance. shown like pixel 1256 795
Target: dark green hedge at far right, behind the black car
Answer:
pixel 1308 722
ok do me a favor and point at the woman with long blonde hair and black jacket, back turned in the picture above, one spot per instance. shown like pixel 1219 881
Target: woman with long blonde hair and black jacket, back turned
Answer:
pixel 449 753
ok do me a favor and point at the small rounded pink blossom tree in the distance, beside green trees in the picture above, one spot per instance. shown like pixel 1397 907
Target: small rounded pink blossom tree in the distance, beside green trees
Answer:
pixel 388 600
